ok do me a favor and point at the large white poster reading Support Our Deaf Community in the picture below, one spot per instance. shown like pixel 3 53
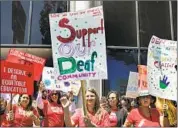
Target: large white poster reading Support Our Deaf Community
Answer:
pixel 78 45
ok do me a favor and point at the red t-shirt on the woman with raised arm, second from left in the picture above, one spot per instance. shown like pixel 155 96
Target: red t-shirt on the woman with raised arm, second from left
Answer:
pixel 54 115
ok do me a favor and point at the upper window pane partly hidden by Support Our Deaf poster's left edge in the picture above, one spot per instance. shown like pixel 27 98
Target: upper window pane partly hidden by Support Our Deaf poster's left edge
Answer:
pixel 40 31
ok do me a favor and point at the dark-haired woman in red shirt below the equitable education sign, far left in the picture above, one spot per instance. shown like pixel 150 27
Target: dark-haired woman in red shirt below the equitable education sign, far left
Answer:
pixel 23 114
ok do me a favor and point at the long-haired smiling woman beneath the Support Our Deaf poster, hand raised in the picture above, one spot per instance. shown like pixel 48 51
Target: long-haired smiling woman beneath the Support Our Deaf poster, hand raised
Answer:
pixel 95 116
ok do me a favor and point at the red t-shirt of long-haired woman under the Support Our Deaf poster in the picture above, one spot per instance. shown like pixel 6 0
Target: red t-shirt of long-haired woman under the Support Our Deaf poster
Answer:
pixel 78 119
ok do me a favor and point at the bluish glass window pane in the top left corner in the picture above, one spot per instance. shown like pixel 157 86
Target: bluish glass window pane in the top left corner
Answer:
pixel 14 21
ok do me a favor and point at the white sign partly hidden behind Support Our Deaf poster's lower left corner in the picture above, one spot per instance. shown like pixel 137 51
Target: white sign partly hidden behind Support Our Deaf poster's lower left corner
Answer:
pixel 52 84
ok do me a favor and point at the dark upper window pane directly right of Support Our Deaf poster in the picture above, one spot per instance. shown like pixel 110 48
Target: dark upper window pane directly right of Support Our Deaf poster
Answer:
pixel 120 23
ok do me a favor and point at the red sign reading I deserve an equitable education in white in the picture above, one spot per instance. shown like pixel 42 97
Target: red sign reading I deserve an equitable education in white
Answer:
pixel 16 78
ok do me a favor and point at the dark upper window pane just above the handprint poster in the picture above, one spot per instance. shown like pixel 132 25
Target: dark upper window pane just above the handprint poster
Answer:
pixel 154 19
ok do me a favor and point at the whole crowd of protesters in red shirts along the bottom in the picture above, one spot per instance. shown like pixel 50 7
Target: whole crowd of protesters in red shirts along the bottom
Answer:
pixel 54 109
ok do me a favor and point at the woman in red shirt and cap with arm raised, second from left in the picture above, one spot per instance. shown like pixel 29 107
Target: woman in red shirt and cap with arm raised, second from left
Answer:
pixel 52 108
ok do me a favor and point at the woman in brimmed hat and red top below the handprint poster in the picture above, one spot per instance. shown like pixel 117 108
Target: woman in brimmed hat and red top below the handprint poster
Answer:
pixel 144 115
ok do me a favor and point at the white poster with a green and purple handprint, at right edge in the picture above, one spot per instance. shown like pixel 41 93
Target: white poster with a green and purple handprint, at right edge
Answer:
pixel 162 68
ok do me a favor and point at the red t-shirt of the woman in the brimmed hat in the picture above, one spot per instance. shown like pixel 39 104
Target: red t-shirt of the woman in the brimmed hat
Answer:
pixel 139 120
